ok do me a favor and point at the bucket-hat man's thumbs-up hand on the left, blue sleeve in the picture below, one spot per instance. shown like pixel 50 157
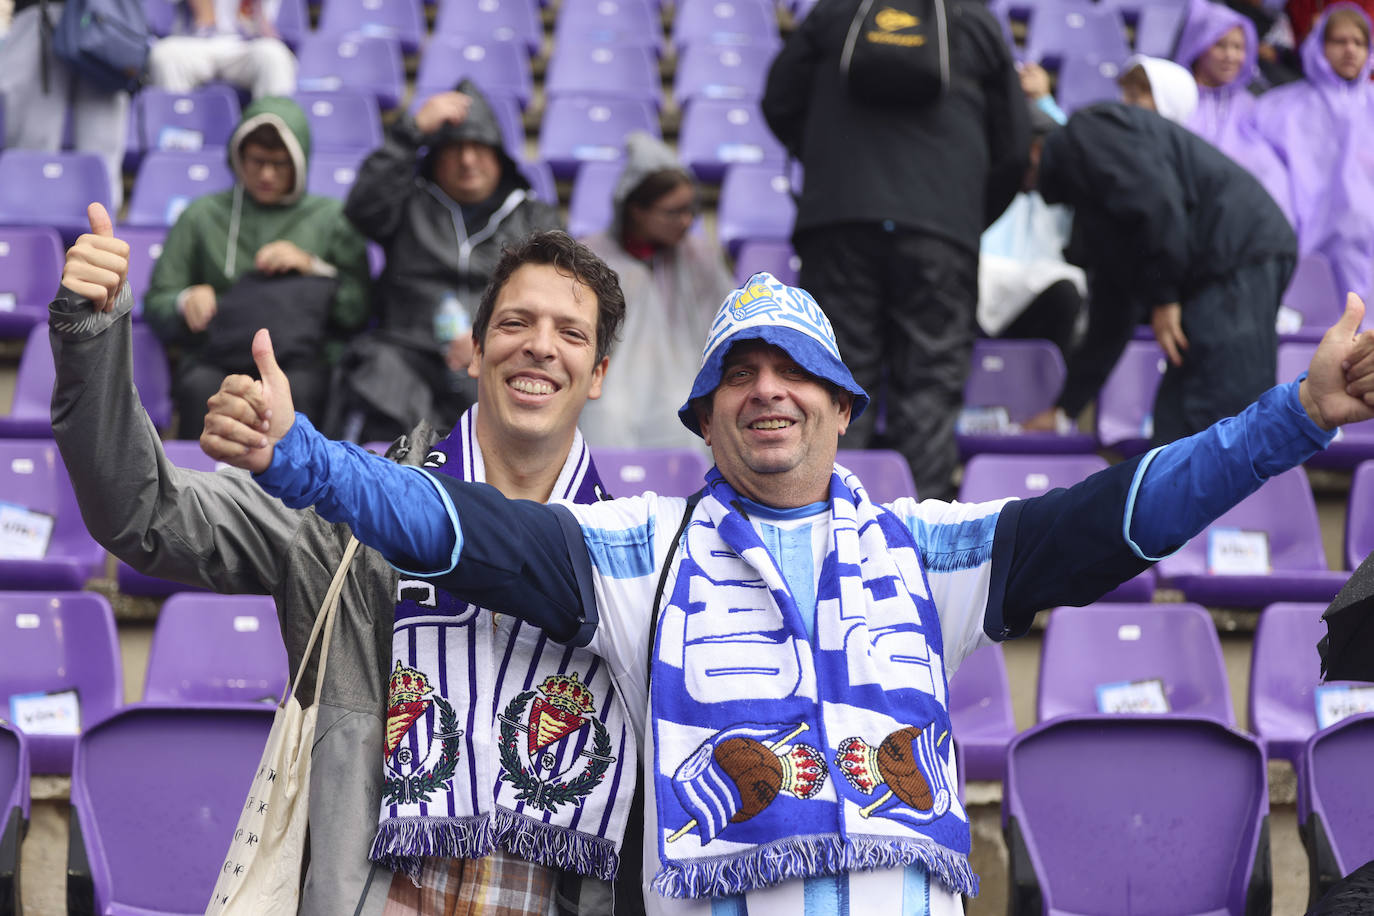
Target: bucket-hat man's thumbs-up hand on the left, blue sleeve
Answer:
pixel 247 417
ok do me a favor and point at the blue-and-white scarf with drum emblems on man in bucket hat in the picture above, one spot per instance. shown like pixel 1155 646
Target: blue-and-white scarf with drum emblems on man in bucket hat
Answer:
pixel 778 757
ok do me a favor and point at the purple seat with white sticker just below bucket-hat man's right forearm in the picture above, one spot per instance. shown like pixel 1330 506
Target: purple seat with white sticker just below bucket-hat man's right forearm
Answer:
pixel 1285 513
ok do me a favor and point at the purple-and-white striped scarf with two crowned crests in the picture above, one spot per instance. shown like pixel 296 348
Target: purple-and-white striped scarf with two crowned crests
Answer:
pixel 495 734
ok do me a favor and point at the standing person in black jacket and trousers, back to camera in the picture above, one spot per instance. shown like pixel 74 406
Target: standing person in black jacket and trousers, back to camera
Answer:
pixel 895 200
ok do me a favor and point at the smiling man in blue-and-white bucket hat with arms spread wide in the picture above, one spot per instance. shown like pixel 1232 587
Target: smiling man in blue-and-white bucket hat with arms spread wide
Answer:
pixel 800 638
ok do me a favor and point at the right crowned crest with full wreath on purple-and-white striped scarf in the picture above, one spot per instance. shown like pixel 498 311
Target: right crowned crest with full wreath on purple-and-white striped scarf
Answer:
pixel 565 753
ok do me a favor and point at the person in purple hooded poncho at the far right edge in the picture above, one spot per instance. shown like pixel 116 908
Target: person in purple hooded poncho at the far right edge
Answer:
pixel 1320 130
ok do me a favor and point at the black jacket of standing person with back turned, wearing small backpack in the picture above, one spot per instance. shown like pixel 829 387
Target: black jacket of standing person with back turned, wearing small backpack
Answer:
pixel 949 168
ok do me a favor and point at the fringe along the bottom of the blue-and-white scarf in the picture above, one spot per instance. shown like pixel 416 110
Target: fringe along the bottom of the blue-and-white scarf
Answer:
pixel 807 858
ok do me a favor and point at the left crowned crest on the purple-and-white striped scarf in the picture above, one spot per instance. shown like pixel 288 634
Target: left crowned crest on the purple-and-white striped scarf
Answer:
pixel 410 781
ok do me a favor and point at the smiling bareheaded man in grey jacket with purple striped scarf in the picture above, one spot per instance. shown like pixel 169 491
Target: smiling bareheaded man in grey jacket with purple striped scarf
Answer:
pixel 461 749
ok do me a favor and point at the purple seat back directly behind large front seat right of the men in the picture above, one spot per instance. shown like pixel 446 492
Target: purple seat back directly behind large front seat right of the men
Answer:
pixel 1089 648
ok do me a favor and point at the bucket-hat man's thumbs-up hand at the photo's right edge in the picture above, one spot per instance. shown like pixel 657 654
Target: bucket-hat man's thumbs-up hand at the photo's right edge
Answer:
pixel 1342 376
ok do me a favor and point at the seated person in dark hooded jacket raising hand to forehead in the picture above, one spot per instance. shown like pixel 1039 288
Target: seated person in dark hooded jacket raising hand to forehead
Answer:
pixel 443 197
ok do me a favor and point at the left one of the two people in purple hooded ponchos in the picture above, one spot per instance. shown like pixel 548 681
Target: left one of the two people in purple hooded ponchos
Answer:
pixel 1221 47
